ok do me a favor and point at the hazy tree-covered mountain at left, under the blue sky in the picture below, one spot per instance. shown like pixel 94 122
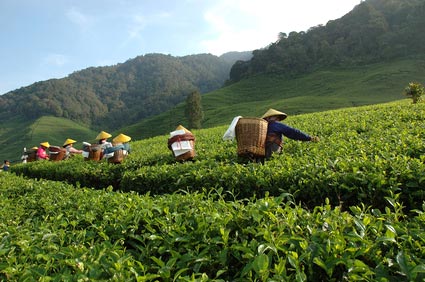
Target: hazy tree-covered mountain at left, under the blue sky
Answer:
pixel 117 95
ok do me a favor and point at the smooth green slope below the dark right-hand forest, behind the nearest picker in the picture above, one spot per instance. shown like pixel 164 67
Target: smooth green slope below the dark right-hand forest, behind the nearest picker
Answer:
pixel 322 90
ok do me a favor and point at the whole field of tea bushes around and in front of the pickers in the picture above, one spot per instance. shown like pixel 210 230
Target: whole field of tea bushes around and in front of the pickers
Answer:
pixel 348 208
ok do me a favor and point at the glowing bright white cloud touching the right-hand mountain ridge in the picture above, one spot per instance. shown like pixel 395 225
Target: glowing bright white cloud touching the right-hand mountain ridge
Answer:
pixel 241 25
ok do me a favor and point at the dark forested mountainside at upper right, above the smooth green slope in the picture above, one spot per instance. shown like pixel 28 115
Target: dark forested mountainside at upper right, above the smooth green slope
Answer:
pixel 374 30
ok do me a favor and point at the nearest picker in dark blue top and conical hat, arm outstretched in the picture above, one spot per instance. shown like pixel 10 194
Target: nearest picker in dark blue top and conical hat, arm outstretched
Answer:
pixel 276 130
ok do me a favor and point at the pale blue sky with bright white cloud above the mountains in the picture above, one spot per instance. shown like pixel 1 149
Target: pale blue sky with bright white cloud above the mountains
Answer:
pixel 45 39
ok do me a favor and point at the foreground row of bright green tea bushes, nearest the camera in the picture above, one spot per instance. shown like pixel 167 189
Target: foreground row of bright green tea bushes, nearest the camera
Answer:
pixel 52 231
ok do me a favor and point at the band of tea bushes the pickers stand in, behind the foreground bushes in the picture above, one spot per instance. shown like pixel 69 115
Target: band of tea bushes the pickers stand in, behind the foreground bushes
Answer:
pixel 365 154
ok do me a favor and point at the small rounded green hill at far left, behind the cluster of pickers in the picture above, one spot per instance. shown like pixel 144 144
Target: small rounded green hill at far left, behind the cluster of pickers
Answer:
pixel 19 133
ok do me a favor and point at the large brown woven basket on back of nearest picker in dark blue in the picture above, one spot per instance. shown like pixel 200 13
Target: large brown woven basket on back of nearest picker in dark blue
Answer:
pixel 251 137
